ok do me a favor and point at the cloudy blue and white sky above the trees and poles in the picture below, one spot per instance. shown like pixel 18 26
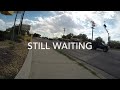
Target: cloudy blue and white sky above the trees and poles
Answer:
pixel 51 23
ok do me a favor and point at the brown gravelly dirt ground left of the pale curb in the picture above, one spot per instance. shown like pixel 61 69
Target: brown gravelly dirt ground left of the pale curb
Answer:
pixel 12 57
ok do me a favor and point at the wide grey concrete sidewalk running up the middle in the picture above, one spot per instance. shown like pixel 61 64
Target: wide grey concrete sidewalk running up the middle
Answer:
pixel 50 64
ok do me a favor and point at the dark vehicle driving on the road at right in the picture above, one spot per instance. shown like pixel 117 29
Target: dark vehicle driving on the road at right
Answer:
pixel 100 45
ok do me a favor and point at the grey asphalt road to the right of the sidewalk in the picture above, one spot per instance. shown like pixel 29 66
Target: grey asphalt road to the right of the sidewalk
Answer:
pixel 108 62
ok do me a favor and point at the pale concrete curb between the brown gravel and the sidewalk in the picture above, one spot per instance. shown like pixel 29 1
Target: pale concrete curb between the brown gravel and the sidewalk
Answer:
pixel 25 70
